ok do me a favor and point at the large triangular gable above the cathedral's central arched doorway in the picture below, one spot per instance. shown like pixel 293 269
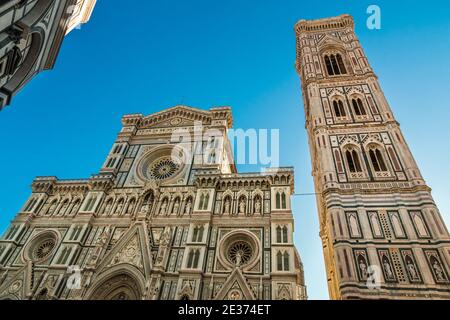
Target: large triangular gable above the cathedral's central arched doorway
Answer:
pixel 132 249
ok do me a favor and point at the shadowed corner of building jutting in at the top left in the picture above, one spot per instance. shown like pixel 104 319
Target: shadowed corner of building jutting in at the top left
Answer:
pixel 31 34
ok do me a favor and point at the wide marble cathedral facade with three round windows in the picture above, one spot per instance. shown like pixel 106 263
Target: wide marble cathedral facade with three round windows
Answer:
pixel 167 217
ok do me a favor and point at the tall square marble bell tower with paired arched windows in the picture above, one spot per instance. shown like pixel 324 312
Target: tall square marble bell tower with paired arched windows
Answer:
pixel 383 236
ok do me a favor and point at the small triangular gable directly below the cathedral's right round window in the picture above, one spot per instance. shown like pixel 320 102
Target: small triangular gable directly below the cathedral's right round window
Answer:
pixel 235 288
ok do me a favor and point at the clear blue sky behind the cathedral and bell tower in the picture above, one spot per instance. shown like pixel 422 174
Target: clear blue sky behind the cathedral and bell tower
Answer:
pixel 204 53
